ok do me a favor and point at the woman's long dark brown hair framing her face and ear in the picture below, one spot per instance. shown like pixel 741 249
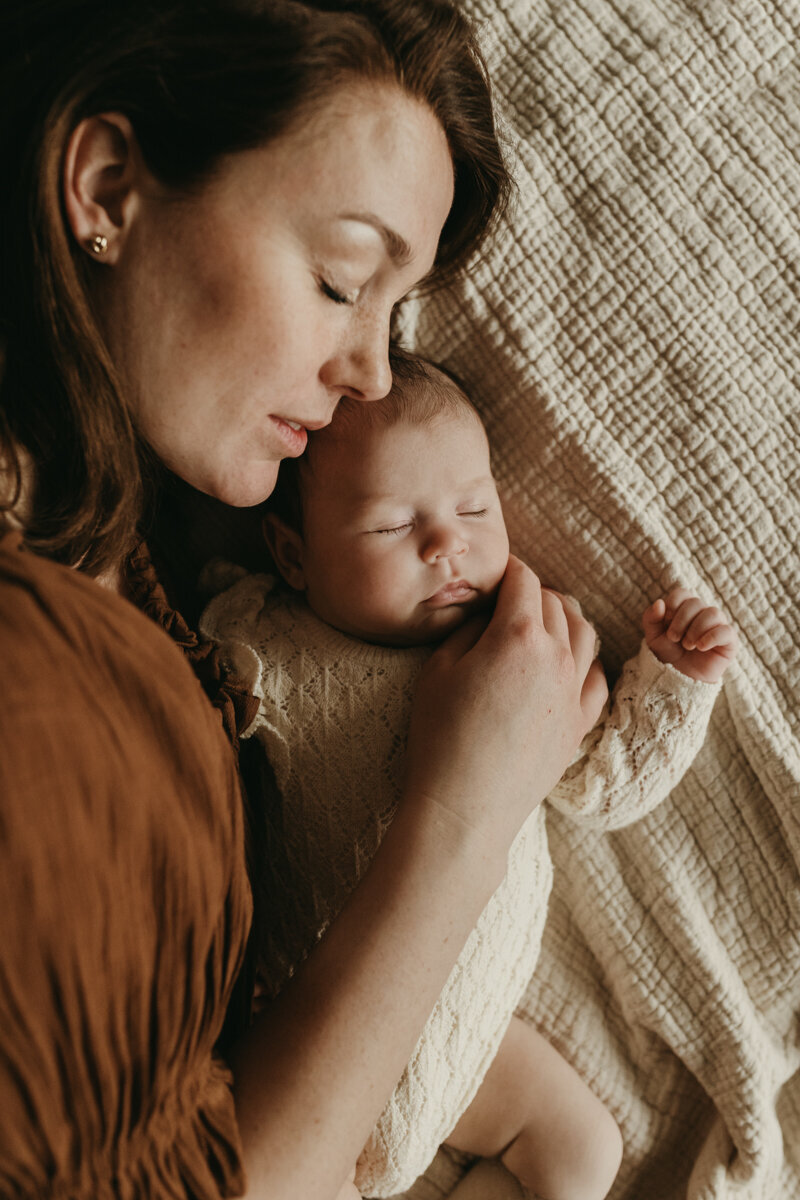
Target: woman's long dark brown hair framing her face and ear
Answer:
pixel 197 81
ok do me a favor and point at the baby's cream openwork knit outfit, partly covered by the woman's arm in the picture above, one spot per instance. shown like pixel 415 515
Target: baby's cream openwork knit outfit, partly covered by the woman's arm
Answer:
pixel 334 718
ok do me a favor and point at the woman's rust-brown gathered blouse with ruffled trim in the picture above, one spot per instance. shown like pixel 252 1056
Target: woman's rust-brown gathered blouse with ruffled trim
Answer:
pixel 124 898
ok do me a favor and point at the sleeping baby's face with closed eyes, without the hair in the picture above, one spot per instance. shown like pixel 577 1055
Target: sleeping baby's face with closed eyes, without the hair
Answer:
pixel 404 533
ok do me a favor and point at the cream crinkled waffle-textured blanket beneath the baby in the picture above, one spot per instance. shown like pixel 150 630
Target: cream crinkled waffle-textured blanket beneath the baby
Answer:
pixel 634 341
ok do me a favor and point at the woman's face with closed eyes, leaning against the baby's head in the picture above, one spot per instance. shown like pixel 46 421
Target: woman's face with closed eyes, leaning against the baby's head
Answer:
pixel 252 308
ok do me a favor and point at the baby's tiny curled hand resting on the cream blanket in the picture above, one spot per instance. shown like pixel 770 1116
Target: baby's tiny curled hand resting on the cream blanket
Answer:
pixel 690 635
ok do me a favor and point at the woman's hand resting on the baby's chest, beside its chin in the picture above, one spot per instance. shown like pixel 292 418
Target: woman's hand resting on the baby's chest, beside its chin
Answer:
pixel 502 707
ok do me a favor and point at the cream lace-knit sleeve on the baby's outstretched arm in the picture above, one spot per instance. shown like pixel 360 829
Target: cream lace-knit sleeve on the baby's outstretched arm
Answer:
pixel 640 751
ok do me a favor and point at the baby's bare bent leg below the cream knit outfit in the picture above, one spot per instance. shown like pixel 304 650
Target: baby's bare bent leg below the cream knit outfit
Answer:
pixel 536 1113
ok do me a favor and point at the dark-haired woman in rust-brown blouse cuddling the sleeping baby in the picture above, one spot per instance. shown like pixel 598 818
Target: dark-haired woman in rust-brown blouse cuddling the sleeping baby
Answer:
pixel 213 213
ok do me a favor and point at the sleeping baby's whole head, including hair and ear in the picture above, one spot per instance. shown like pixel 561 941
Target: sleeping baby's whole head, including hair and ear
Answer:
pixel 392 523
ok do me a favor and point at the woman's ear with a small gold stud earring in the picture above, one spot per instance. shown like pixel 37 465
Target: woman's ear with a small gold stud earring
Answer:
pixel 103 173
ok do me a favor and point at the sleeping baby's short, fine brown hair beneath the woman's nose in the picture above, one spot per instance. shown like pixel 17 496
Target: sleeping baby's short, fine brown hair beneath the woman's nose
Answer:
pixel 422 393
